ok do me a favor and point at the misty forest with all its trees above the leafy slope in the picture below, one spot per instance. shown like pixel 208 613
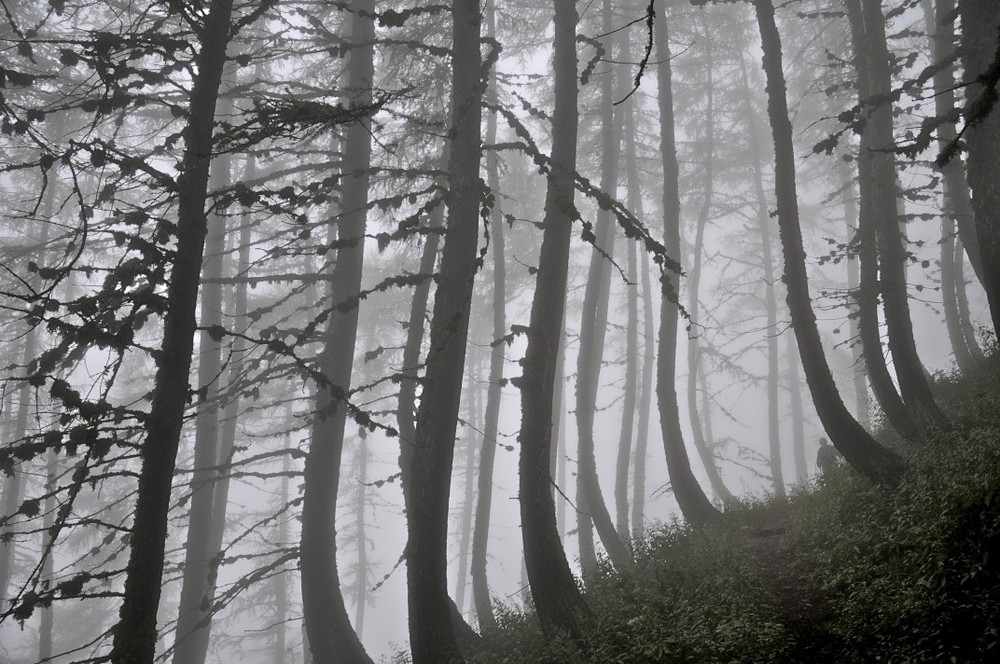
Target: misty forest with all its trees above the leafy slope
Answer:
pixel 313 311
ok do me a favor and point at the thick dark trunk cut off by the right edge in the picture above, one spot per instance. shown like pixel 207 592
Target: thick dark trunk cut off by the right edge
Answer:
pixel 980 21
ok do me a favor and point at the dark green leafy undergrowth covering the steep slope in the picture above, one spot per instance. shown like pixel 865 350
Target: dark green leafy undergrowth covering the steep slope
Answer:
pixel 841 571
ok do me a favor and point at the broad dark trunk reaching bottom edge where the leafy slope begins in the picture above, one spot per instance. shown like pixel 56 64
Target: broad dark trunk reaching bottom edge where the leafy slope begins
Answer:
pixel 432 635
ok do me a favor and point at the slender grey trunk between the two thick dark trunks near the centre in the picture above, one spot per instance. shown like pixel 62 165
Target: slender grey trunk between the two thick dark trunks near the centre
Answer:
pixel 487 451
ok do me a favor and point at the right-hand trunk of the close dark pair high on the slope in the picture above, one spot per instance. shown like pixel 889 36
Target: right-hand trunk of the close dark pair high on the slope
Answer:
pixel 875 88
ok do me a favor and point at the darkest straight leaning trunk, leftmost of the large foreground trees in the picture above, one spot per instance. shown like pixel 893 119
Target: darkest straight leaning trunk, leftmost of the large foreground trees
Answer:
pixel 135 634
